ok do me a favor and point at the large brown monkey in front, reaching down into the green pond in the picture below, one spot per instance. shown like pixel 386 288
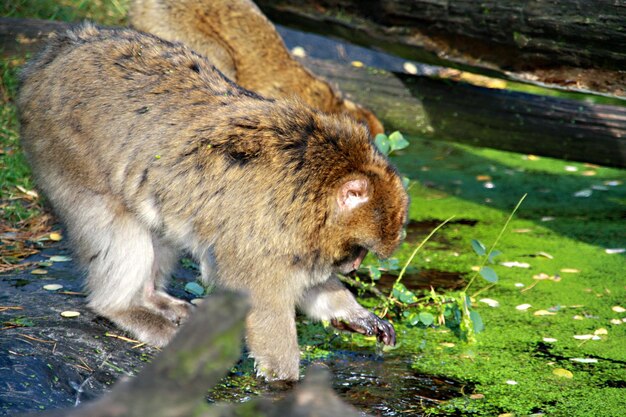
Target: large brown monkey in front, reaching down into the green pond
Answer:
pixel 145 150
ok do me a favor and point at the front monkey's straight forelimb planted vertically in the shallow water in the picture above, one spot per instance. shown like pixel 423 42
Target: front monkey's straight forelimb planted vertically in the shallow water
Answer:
pixel 272 337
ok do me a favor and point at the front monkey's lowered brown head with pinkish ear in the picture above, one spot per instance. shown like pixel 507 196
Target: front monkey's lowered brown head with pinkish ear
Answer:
pixel 367 202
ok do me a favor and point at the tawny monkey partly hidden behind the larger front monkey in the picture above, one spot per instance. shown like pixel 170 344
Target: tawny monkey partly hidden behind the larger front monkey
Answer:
pixel 242 43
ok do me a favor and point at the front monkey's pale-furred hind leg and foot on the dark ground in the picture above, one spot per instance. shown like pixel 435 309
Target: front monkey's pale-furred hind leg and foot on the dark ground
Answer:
pixel 119 253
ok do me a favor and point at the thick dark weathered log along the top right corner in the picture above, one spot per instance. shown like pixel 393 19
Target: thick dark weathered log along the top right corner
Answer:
pixel 576 44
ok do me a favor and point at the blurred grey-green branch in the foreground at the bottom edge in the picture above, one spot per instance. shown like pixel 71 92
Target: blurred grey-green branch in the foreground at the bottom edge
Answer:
pixel 175 382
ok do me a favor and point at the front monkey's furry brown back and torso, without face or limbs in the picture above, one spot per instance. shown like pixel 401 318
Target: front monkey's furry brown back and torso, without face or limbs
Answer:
pixel 158 129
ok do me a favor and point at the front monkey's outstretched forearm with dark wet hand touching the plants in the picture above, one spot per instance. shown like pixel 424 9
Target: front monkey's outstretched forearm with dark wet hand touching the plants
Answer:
pixel 334 302
